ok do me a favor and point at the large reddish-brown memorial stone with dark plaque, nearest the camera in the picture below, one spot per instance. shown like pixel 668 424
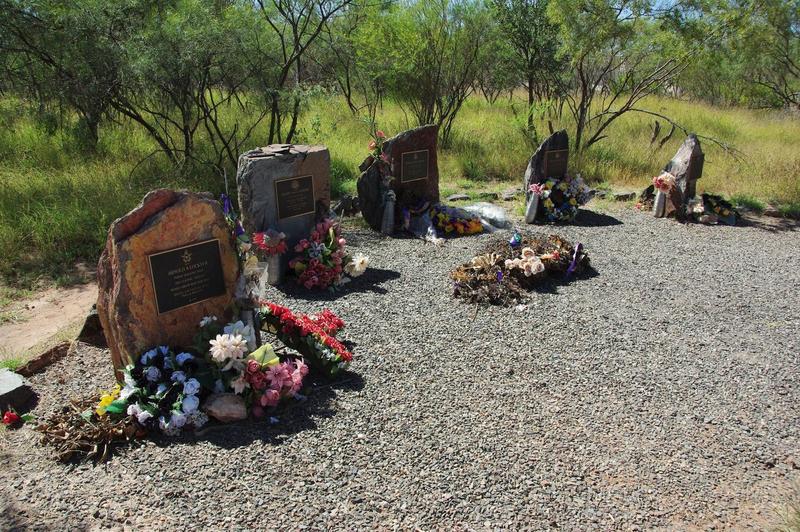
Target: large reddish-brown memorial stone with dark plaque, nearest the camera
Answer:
pixel 127 304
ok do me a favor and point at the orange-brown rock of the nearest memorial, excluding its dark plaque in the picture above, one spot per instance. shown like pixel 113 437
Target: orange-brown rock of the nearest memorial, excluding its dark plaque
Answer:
pixel 126 303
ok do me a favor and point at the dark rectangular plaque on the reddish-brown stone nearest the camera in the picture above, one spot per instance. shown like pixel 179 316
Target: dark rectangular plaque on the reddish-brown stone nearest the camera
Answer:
pixel 187 275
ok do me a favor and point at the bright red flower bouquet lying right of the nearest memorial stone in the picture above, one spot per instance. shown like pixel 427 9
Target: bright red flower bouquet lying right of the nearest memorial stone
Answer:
pixel 314 337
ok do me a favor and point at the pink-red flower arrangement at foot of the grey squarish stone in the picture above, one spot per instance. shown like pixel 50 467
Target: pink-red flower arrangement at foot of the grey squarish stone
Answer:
pixel 322 257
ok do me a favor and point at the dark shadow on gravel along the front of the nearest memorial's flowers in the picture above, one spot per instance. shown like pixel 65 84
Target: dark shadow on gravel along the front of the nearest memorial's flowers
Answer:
pixel 293 417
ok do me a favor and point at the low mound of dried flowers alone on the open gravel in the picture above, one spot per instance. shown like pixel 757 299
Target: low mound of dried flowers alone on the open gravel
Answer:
pixel 504 272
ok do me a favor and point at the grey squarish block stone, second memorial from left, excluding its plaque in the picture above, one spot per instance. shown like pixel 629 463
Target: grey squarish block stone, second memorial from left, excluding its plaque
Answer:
pixel 260 168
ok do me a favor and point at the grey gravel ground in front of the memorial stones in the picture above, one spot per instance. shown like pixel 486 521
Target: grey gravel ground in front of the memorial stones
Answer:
pixel 660 393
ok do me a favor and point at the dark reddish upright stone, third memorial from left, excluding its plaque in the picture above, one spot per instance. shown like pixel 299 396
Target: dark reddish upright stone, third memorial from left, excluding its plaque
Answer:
pixel 370 189
